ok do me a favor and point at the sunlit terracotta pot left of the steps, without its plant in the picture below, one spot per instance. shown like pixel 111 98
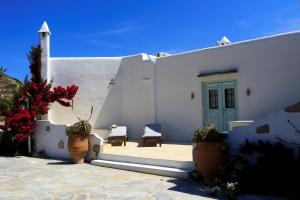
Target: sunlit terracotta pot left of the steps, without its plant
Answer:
pixel 78 148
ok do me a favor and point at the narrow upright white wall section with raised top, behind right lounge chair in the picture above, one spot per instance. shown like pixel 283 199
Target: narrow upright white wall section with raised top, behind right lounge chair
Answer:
pixel 137 95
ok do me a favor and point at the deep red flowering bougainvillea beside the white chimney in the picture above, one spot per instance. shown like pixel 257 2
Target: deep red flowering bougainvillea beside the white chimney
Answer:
pixel 32 101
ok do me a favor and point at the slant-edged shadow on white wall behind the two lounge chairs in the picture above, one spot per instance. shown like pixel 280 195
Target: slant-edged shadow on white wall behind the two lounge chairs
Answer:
pixel 129 102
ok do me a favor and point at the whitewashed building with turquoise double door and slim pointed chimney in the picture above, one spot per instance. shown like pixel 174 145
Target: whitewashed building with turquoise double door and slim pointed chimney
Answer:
pixel 246 80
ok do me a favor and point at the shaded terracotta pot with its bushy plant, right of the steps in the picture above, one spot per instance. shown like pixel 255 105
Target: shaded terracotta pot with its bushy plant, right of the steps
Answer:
pixel 209 152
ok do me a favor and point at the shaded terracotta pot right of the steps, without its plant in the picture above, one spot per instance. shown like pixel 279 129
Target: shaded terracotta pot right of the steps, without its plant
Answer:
pixel 209 156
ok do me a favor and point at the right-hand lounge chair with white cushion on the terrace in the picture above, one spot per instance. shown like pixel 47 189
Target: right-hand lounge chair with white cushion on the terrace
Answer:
pixel 152 132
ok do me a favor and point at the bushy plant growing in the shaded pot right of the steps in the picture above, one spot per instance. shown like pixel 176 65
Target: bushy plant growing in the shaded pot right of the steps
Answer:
pixel 208 134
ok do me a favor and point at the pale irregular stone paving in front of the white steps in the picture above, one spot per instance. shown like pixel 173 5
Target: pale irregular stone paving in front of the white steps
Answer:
pixel 34 178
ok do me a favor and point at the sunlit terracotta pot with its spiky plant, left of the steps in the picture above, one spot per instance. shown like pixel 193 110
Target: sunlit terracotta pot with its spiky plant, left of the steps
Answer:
pixel 78 135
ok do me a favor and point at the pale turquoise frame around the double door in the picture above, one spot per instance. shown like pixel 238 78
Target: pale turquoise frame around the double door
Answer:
pixel 204 99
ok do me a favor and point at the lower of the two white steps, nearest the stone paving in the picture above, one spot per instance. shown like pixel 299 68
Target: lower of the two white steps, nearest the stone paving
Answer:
pixel 149 169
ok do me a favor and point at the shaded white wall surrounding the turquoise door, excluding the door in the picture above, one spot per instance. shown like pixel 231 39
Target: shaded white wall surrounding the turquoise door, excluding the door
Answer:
pixel 270 67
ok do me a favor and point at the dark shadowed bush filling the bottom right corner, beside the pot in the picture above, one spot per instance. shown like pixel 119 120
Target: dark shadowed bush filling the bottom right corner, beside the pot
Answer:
pixel 274 172
